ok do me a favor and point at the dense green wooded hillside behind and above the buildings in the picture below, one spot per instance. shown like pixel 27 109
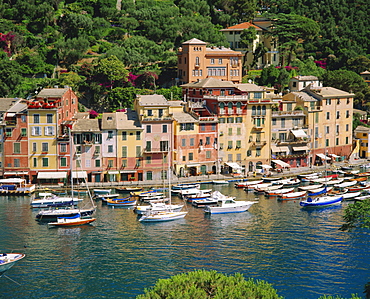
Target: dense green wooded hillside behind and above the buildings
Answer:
pixel 108 50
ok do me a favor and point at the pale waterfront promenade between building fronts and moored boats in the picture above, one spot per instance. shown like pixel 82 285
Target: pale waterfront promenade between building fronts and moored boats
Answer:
pixel 209 178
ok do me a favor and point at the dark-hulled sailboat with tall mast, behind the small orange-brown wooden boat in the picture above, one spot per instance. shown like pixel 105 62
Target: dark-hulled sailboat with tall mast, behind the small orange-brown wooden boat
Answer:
pixel 54 214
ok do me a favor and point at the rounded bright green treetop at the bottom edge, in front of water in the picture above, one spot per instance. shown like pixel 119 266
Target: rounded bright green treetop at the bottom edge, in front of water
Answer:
pixel 210 284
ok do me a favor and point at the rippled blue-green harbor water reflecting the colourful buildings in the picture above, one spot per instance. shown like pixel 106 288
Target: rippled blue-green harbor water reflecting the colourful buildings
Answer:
pixel 301 253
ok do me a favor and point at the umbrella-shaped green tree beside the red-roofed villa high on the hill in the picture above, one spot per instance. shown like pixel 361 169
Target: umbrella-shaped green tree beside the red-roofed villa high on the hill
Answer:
pixel 292 30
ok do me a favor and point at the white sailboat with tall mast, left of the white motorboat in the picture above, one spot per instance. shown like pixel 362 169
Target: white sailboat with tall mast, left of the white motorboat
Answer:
pixel 168 214
